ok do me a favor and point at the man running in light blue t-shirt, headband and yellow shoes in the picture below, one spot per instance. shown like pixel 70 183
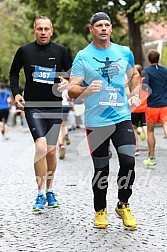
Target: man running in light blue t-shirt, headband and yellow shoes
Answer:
pixel 99 75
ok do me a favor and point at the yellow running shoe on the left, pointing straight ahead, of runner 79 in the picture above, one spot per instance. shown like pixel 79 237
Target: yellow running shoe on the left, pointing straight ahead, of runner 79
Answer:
pixel 101 219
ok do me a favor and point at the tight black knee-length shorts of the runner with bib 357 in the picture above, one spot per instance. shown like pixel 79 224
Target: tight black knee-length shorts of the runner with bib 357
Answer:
pixel 44 123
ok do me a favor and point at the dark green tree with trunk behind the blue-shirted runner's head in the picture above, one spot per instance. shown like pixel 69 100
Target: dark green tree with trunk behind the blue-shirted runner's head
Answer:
pixel 72 16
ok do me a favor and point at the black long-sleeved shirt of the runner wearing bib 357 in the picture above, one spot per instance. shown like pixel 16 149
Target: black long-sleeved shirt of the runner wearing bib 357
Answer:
pixel 38 62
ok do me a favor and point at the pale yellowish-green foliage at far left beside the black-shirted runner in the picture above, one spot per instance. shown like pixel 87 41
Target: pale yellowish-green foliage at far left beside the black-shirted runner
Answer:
pixel 15 31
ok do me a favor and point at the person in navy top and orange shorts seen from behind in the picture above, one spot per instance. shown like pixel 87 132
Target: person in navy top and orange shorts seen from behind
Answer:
pixel 155 77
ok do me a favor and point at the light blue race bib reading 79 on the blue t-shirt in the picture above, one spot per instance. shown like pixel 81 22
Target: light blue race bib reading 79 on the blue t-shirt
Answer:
pixel 112 96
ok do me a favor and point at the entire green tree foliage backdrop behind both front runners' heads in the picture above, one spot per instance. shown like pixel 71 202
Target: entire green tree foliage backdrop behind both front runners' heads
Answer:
pixel 70 21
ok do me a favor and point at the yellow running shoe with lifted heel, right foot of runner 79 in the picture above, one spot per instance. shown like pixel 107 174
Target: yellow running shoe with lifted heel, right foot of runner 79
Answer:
pixel 125 214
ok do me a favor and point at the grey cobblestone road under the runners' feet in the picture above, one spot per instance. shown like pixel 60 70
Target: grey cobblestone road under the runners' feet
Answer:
pixel 70 227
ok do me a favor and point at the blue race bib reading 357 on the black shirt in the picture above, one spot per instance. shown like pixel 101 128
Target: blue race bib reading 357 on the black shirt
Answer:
pixel 44 74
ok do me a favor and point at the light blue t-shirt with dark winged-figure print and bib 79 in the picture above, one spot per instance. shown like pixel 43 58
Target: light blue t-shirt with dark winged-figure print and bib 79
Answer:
pixel 109 65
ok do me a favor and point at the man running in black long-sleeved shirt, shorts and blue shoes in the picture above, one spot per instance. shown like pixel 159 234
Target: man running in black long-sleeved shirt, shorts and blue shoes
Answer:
pixel 43 62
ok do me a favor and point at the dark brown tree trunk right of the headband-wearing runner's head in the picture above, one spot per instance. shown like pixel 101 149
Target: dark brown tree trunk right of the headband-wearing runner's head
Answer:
pixel 135 39
